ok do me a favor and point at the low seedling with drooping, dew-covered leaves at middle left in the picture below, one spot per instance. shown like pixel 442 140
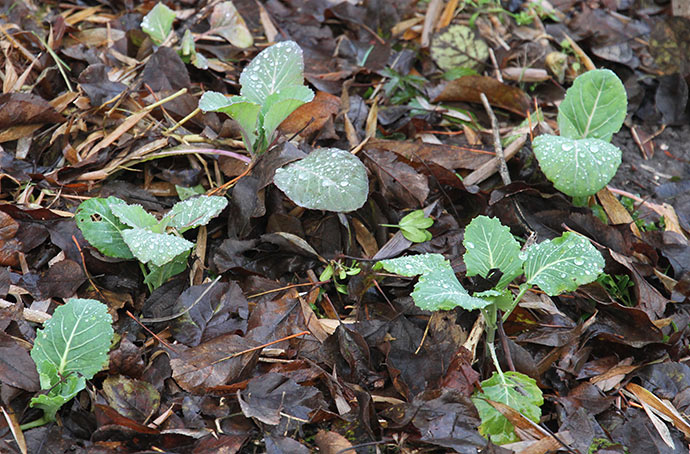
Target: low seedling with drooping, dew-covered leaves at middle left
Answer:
pixel 125 231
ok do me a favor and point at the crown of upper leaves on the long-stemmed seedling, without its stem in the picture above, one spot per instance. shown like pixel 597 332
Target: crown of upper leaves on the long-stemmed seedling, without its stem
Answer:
pixel 555 266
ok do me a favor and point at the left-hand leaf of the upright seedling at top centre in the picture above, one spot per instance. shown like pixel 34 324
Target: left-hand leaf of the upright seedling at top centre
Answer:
pixel 239 108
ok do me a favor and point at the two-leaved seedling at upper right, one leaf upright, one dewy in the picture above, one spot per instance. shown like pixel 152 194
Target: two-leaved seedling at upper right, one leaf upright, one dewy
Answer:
pixel 581 161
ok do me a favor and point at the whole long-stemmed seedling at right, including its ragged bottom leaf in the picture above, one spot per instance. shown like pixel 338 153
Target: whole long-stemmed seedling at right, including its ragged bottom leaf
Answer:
pixel 554 266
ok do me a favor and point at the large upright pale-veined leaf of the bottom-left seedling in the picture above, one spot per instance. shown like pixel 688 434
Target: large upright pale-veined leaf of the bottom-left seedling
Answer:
pixel 75 340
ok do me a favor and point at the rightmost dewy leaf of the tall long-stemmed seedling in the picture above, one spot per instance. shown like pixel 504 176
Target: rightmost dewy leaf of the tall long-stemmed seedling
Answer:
pixel 563 264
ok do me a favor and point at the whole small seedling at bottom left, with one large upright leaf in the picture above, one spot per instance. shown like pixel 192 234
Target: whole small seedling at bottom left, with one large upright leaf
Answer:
pixel 70 349
